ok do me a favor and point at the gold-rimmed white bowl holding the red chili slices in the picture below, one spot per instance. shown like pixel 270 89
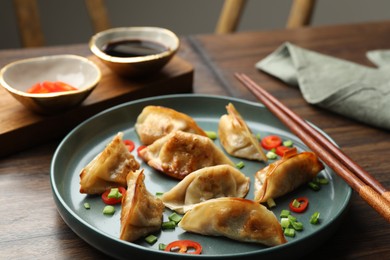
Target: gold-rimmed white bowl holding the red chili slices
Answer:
pixel 79 72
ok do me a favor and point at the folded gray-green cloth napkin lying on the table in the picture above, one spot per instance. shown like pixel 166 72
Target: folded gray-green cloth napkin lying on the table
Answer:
pixel 346 88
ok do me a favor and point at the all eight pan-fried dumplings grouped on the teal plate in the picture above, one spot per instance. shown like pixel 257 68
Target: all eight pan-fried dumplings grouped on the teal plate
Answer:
pixel 208 183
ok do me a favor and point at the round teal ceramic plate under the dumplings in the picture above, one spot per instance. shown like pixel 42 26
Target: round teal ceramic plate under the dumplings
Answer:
pixel 102 231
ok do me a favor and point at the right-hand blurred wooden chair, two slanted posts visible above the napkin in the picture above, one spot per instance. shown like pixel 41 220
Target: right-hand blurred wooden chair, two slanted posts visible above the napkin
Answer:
pixel 300 15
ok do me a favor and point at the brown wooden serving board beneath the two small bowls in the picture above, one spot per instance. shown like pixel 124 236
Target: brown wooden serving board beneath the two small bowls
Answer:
pixel 20 128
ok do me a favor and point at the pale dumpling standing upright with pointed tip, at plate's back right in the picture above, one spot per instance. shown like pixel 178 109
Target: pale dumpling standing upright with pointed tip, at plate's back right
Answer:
pixel 236 137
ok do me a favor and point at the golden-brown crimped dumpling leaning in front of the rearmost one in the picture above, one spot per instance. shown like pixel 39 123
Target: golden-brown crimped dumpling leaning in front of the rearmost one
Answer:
pixel 180 153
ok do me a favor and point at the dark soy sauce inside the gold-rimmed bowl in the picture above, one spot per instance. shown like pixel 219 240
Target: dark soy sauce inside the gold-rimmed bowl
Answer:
pixel 133 48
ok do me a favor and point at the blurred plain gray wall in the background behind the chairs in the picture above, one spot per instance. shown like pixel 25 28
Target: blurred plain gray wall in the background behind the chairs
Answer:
pixel 66 21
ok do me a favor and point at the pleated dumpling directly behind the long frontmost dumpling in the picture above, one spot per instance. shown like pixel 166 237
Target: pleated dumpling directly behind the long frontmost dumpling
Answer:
pixel 204 184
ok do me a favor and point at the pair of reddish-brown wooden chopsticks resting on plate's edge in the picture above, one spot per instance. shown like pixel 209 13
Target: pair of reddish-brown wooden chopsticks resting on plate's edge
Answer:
pixel 361 181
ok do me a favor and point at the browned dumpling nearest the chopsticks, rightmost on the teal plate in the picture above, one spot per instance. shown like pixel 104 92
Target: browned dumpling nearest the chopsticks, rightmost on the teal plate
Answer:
pixel 286 174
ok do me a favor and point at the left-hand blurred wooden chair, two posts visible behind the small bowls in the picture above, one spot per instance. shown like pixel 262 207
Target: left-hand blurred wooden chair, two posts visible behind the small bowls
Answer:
pixel 29 24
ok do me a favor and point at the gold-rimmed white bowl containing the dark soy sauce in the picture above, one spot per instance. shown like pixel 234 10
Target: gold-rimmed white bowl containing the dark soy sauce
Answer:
pixel 139 65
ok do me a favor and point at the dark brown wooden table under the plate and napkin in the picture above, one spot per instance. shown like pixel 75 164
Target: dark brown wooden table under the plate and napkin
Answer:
pixel 31 228
